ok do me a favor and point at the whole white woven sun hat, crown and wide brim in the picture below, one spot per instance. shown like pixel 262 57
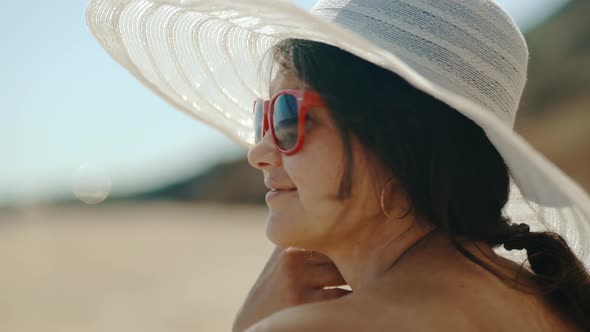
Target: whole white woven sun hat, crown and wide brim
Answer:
pixel 204 57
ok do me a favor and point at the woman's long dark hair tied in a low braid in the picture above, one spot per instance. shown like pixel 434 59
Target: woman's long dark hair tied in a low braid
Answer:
pixel 441 158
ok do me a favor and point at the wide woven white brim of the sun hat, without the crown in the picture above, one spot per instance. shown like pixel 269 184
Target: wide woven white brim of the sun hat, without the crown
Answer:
pixel 203 57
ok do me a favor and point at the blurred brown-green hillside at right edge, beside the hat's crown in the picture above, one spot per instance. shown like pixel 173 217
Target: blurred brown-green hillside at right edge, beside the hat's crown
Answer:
pixel 555 110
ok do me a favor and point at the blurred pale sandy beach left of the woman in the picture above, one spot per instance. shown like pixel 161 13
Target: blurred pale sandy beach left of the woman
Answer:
pixel 128 267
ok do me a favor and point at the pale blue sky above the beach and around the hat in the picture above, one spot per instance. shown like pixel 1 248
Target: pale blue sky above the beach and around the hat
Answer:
pixel 65 103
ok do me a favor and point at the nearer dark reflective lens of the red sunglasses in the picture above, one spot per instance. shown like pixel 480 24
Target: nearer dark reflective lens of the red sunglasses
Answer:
pixel 285 121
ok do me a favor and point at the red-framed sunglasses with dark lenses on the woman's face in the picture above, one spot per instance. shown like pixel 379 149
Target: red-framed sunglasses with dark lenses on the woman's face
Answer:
pixel 285 114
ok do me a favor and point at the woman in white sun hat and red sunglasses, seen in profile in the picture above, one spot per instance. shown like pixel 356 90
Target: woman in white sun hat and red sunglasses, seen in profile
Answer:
pixel 386 143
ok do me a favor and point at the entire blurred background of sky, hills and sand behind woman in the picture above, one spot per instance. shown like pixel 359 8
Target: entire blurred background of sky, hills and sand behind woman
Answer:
pixel 119 213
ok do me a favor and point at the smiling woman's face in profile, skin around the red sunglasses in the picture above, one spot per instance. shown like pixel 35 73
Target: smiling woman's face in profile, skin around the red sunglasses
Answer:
pixel 307 212
